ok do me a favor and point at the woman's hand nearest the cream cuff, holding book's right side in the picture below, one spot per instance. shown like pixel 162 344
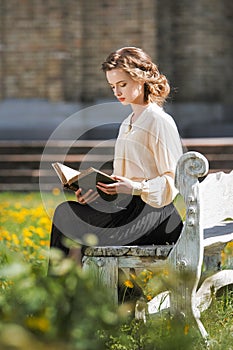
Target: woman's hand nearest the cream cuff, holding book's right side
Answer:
pixel 123 185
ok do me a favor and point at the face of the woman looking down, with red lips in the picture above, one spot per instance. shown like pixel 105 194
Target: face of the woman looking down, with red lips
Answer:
pixel 127 90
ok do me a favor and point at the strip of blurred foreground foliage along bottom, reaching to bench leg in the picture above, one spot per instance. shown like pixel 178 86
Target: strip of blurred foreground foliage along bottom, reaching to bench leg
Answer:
pixel 67 310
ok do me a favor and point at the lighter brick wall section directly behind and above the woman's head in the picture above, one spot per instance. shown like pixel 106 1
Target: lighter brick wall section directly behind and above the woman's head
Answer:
pixel 107 26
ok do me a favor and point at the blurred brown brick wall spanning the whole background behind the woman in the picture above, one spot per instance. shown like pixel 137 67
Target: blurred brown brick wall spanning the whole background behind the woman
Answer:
pixel 53 49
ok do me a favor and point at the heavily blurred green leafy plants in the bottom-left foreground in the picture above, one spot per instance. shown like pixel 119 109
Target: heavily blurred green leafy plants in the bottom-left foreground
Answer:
pixel 66 307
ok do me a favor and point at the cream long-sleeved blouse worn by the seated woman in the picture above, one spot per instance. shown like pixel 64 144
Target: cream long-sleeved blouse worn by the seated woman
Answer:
pixel 148 153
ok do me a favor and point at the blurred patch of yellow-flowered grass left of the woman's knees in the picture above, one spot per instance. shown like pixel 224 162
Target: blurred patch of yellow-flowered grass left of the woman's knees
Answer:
pixel 25 225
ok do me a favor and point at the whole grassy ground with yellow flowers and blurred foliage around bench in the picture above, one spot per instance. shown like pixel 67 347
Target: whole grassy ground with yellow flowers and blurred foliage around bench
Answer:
pixel 65 311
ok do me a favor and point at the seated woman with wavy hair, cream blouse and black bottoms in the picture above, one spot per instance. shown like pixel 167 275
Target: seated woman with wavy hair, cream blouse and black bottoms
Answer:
pixel 146 153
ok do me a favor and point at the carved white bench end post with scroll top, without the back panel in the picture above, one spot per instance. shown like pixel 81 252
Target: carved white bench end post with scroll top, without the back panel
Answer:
pixel 187 255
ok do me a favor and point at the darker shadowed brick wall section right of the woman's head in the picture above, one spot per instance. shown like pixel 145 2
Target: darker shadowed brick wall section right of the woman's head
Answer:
pixel 199 45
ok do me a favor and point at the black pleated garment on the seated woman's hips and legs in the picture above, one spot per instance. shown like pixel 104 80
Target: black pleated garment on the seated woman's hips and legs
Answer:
pixel 128 221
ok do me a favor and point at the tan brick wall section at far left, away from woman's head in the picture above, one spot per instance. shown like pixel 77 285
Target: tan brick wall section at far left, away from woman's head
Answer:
pixel 40 43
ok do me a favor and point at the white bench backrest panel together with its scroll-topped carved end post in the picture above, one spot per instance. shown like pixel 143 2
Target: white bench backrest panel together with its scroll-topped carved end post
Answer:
pixel 207 203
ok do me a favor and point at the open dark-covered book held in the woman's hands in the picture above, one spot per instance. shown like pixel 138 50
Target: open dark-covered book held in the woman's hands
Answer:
pixel 85 179
